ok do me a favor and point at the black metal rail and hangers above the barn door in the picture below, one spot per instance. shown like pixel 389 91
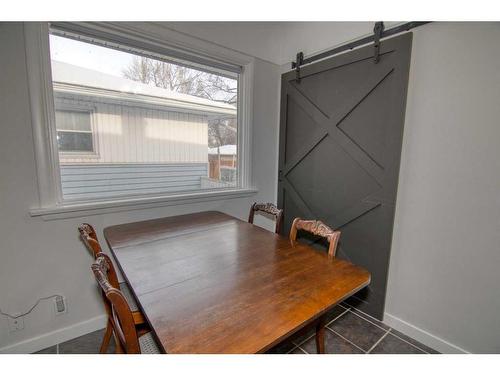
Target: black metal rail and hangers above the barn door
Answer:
pixel 301 61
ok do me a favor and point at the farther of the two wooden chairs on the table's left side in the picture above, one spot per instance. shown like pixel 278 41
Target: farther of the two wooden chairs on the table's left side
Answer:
pixel 89 237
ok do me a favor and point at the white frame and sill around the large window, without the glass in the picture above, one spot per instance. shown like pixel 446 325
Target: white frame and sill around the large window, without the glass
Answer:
pixel 51 204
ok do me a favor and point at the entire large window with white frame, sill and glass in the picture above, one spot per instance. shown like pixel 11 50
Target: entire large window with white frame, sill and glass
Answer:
pixel 89 79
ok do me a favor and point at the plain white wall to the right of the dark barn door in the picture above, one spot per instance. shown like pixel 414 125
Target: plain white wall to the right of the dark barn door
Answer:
pixel 444 270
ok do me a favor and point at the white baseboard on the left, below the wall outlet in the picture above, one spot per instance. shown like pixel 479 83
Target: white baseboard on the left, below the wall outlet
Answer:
pixel 56 337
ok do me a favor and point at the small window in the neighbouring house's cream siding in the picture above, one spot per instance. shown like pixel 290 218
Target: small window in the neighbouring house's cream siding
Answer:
pixel 74 131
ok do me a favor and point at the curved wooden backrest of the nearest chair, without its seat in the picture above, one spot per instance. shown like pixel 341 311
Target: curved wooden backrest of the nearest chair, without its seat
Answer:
pixel 123 320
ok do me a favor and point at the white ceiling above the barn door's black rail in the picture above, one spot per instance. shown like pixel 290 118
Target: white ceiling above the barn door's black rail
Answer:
pixel 276 42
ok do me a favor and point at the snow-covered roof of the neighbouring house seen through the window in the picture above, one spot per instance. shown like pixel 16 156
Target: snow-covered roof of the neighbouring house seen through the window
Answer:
pixel 77 80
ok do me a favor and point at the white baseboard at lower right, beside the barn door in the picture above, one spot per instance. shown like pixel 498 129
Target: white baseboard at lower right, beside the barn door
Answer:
pixel 422 336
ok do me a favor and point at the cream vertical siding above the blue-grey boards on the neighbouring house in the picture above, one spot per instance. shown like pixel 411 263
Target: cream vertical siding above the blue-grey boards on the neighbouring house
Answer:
pixel 133 134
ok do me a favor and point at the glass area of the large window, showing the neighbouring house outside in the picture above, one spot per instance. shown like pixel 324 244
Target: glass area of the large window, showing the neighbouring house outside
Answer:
pixel 132 120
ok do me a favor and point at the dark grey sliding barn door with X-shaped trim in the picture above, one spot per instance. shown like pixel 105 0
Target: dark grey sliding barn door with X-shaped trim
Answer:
pixel 340 146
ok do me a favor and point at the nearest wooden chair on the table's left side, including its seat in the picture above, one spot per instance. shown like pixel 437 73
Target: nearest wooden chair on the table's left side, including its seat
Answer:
pixel 129 339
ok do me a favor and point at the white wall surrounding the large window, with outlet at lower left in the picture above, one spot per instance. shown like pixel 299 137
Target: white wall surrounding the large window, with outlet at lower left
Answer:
pixel 39 258
